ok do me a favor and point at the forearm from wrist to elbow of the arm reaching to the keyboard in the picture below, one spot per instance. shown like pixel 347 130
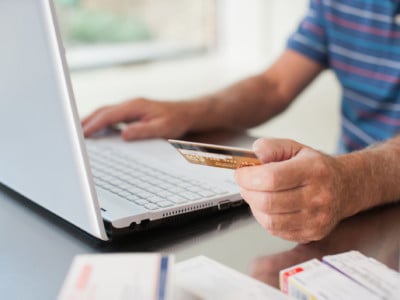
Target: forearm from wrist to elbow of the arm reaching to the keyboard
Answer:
pixel 246 104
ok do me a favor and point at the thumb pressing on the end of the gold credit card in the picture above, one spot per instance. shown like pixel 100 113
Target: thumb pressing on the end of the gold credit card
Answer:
pixel 274 150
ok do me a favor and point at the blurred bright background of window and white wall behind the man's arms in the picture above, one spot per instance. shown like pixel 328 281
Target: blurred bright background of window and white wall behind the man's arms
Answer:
pixel 180 49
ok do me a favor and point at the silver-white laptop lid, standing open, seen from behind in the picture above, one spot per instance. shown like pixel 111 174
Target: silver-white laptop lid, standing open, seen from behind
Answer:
pixel 42 154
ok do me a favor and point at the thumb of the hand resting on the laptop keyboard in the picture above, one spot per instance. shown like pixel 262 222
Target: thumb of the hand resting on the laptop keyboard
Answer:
pixel 143 130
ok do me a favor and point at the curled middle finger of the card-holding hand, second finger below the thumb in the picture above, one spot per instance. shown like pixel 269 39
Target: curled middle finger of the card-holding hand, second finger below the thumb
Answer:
pixel 283 202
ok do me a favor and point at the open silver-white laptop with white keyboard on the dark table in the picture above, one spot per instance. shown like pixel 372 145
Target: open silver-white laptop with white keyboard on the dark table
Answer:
pixel 104 186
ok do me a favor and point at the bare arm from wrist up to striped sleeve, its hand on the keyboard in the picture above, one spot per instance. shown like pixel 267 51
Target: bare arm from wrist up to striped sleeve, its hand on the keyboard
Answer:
pixel 256 99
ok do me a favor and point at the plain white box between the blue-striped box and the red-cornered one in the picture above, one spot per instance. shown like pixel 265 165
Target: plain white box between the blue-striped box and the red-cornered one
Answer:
pixel 201 278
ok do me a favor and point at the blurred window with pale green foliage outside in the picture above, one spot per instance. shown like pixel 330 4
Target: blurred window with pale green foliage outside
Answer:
pixel 103 32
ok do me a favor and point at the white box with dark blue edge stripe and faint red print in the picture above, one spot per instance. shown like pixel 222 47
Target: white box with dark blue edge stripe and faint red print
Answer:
pixel 118 277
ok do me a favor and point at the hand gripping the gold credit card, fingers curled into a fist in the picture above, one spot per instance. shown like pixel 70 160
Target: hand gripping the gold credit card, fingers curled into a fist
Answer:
pixel 298 192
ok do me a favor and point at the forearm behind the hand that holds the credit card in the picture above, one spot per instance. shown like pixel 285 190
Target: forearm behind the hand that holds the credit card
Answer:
pixel 371 177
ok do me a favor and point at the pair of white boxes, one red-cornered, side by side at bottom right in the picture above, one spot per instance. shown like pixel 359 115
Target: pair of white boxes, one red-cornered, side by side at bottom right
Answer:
pixel 349 275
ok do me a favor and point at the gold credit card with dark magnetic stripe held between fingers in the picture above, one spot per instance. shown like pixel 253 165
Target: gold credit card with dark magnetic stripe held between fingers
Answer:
pixel 215 155
